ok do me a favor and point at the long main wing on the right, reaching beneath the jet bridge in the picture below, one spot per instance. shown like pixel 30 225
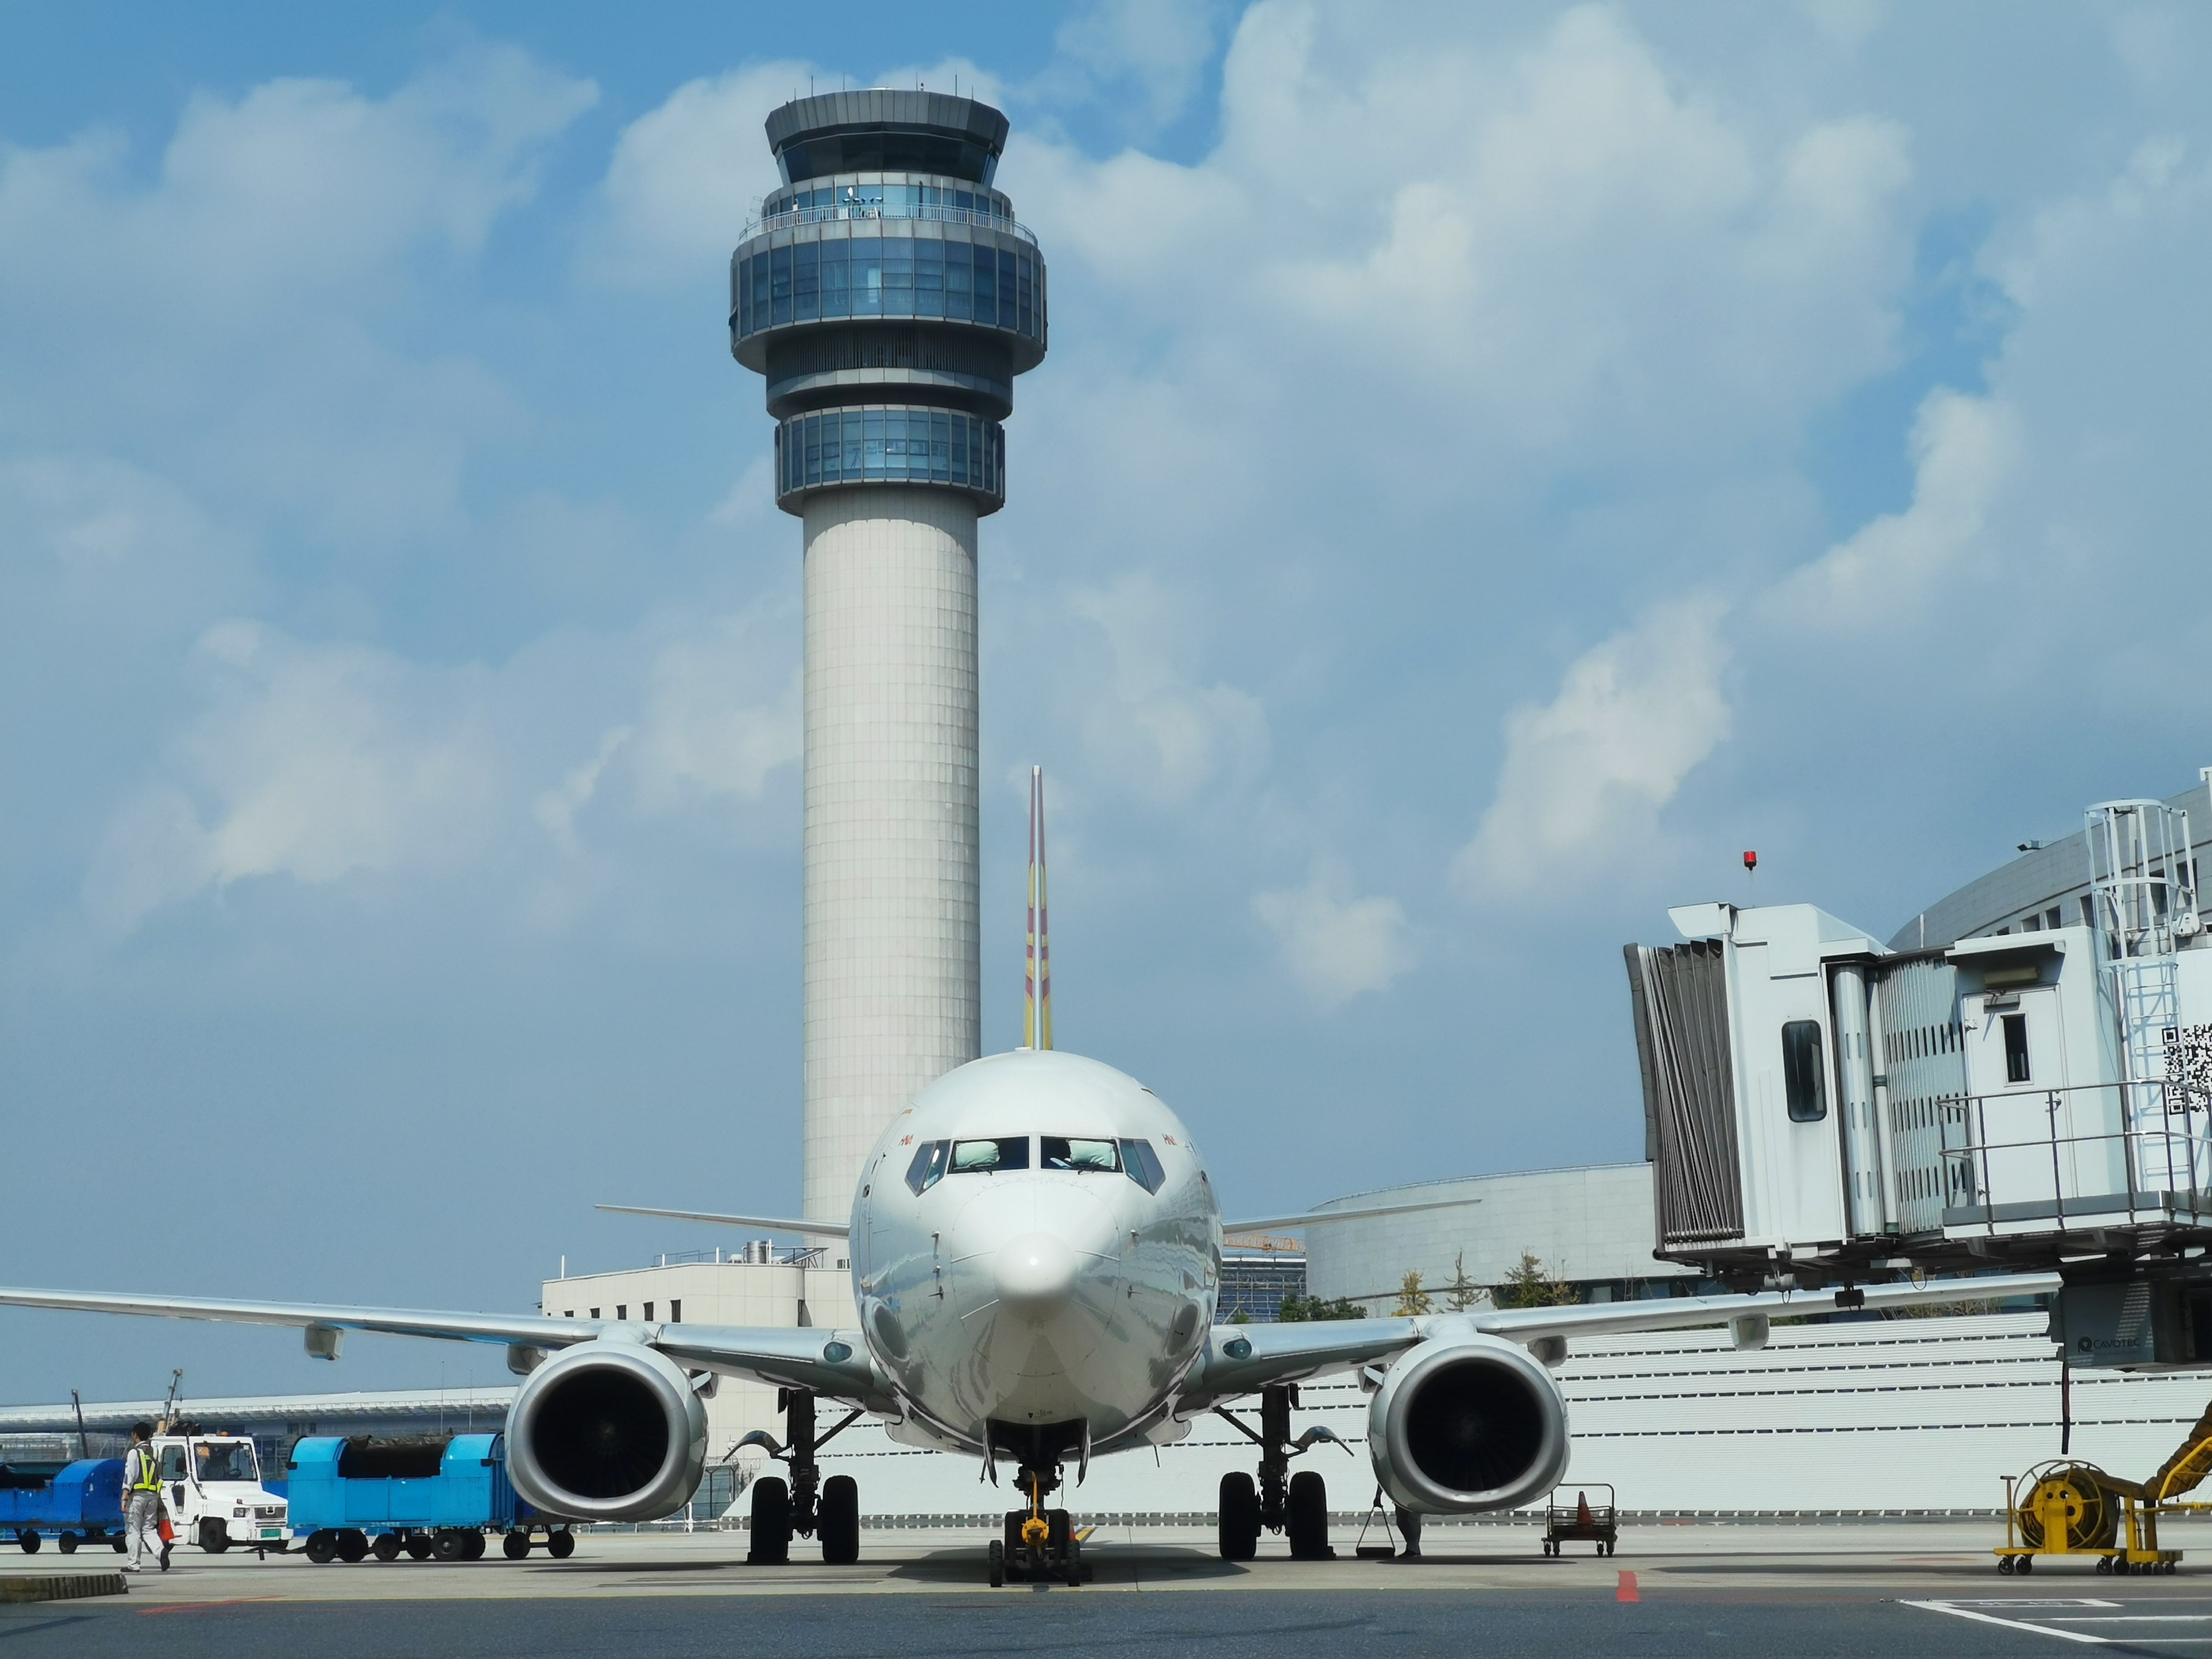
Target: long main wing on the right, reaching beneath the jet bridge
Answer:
pixel 1242 1359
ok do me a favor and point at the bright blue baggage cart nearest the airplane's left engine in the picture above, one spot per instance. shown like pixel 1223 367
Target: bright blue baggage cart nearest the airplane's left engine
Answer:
pixel 421 1499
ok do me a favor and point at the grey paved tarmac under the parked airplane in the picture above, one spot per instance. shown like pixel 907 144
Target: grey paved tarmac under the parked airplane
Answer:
pixel 1793 1589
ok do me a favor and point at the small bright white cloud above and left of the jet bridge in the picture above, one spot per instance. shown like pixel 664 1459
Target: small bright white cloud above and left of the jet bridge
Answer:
pixel 1587 773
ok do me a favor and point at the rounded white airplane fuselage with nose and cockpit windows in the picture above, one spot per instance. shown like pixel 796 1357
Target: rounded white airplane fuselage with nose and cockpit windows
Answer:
pixel 1036 1244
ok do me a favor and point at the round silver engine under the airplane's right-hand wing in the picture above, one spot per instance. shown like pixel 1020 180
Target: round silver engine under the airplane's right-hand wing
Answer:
pixel 1468 1423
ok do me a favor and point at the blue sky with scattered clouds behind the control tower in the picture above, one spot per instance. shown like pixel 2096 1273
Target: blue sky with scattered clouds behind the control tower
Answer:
pixel 1494 466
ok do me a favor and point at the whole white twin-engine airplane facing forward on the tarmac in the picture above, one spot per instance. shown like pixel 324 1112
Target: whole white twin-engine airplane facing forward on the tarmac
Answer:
pixel 1036 1260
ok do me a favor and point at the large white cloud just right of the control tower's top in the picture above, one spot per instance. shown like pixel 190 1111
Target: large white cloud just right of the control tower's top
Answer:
pixel 1567 242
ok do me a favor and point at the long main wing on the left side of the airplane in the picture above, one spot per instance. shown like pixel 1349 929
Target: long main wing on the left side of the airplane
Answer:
pixel 831 1364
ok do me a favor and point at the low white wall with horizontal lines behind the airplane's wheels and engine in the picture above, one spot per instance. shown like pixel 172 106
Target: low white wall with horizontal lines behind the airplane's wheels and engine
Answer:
pixel 1919 1415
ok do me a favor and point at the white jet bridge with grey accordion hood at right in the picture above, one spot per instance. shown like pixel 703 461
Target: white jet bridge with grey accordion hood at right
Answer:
pixel 1824 1109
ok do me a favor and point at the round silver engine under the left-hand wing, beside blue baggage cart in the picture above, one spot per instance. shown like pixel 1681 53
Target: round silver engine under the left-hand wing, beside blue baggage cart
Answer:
pixel 607 1432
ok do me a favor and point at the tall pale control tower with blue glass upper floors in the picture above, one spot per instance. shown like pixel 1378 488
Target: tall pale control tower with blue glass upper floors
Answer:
pixel 890 300
